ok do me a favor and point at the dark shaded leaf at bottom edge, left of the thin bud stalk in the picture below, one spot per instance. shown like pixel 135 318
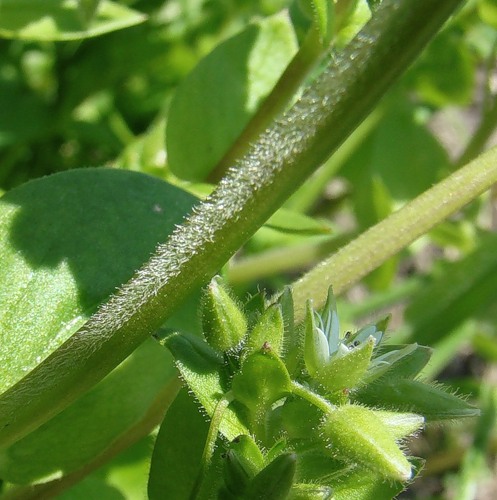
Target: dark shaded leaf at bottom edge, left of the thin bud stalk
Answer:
pixel 178 450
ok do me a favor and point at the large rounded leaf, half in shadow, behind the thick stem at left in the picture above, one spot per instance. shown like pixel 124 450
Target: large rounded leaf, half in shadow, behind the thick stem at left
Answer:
pixel 66 242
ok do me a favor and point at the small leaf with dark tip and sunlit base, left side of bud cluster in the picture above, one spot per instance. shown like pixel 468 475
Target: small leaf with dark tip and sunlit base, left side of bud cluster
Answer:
pixel 202 368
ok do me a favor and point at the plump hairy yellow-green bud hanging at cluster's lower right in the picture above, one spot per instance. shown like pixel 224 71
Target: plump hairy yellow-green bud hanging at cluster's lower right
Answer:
pixel 356 434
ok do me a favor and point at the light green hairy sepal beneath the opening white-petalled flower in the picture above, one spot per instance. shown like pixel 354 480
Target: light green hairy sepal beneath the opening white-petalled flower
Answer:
pixel 346 371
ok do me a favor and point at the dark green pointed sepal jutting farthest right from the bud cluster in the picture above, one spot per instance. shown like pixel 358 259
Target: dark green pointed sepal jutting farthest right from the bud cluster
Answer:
pixel 431 401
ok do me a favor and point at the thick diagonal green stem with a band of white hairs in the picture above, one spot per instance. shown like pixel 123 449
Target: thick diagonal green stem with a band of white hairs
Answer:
pixel 283 157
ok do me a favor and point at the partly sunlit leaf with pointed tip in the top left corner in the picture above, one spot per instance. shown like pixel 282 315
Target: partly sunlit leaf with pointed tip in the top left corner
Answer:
pixel 57 20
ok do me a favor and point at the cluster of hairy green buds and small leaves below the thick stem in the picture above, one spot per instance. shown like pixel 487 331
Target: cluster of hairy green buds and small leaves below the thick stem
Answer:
pixel 305 411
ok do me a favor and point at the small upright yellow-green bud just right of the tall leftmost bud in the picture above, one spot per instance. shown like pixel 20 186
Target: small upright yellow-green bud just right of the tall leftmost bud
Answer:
pixel 269 330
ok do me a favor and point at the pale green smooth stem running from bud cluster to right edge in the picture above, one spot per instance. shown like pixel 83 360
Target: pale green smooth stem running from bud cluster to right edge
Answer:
pixel 385 239
